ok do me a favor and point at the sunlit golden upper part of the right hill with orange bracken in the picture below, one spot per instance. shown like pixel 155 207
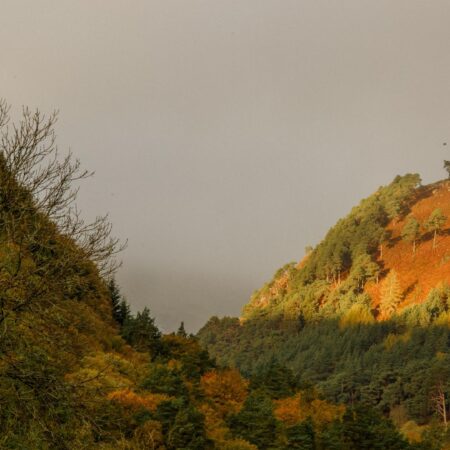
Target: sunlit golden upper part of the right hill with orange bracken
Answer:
pixel 386 256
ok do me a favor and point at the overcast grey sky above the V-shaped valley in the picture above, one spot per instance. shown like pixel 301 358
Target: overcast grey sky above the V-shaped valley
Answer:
pixel 227 135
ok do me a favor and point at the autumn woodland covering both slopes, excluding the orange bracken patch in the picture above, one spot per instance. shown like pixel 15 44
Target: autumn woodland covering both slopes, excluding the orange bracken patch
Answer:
pixel 315 369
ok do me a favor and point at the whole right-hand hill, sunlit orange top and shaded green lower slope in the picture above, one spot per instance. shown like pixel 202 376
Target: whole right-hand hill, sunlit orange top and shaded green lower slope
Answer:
pixel 365 315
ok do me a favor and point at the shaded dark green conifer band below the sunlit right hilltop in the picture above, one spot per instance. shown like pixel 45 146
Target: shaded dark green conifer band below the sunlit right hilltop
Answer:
pixel 382 364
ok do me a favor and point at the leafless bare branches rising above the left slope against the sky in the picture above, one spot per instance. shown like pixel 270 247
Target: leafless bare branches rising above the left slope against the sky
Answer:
pixel 32 161
